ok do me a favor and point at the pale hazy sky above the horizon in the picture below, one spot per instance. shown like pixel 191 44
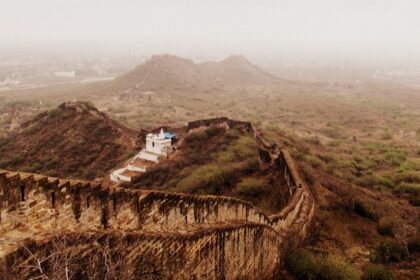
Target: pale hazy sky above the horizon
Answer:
pixel 365 28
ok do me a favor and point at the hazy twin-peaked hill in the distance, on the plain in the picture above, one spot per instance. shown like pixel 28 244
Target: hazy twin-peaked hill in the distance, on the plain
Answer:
pixel 169 72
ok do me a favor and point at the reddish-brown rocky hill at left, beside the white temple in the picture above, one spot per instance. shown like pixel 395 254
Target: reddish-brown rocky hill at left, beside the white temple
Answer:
pixel 74 140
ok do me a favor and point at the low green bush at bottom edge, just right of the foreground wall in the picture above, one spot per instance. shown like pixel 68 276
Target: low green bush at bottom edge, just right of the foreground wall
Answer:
pixel 304 265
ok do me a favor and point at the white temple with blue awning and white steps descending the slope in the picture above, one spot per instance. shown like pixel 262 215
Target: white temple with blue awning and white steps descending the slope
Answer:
pixel 157 146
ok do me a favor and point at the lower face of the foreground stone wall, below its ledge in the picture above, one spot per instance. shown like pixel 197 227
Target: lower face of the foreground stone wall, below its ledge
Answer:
pixel 236 251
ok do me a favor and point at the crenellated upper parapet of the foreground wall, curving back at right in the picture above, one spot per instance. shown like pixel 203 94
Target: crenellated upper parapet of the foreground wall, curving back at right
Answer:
pixel 36 205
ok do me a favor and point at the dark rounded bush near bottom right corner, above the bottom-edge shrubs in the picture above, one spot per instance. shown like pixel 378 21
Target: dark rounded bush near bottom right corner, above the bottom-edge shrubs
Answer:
pixel 389 251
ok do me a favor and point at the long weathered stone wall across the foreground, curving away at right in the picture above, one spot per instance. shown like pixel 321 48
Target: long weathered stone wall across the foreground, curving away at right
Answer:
pixel 221 237
